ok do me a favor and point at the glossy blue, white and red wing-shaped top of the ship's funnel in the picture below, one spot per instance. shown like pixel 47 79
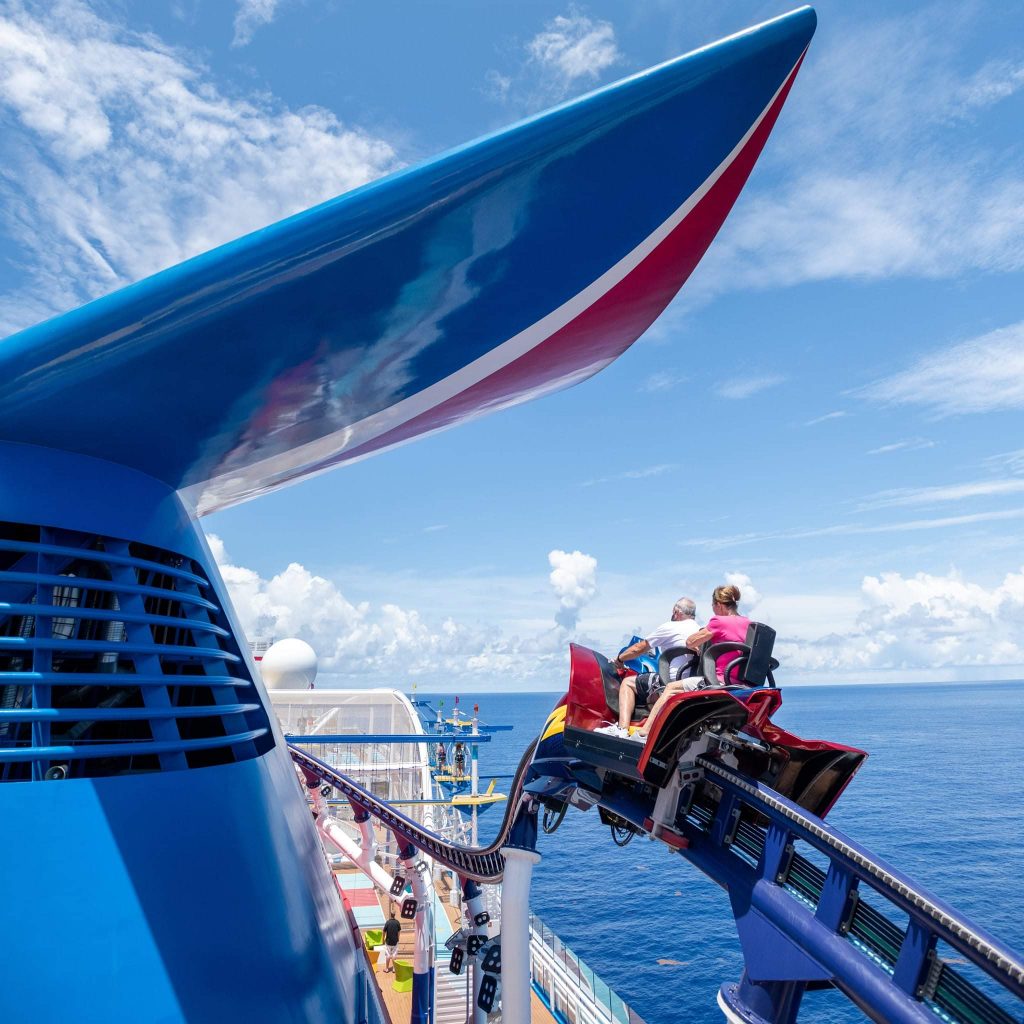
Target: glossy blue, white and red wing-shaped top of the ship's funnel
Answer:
pixel 509 268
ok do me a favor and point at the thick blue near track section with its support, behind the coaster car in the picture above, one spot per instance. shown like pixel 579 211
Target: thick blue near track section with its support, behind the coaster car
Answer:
pixel 798 925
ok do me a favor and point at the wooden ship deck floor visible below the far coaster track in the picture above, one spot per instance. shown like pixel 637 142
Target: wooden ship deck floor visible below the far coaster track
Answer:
pixel 361 904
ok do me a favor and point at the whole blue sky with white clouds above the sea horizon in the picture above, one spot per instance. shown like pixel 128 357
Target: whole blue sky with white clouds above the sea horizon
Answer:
pixel 830 413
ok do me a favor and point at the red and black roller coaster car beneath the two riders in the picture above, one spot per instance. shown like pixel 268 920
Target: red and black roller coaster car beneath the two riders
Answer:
pixel 731 722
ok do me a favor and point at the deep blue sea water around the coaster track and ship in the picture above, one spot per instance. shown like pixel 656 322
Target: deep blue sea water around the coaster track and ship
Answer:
pixel 942 798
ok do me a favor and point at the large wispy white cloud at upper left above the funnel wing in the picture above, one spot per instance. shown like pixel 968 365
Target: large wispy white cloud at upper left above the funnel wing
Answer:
pixel 122 157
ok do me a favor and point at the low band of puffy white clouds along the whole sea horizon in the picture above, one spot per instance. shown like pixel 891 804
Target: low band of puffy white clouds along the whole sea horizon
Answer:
pixel 895 626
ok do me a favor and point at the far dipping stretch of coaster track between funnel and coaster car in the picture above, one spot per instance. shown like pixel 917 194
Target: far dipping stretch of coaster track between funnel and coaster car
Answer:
pixel 481 864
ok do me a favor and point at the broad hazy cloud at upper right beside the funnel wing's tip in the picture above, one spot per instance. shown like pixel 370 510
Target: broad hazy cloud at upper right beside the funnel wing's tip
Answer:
pixel 882 169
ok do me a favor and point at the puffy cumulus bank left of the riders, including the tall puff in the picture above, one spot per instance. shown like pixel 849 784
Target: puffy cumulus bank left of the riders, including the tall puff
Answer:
pixel 364 644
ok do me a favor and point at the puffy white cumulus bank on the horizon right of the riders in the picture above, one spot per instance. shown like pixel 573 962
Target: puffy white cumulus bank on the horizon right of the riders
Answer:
pixel 923 623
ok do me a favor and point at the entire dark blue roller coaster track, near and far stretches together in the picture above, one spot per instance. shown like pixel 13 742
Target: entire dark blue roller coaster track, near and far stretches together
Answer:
pixel 745 836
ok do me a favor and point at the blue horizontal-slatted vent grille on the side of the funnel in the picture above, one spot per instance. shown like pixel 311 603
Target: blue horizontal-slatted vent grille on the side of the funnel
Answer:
pixel 115 659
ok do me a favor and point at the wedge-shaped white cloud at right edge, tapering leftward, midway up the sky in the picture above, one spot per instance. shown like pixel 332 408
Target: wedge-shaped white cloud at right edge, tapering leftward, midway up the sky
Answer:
pixel 984 375
